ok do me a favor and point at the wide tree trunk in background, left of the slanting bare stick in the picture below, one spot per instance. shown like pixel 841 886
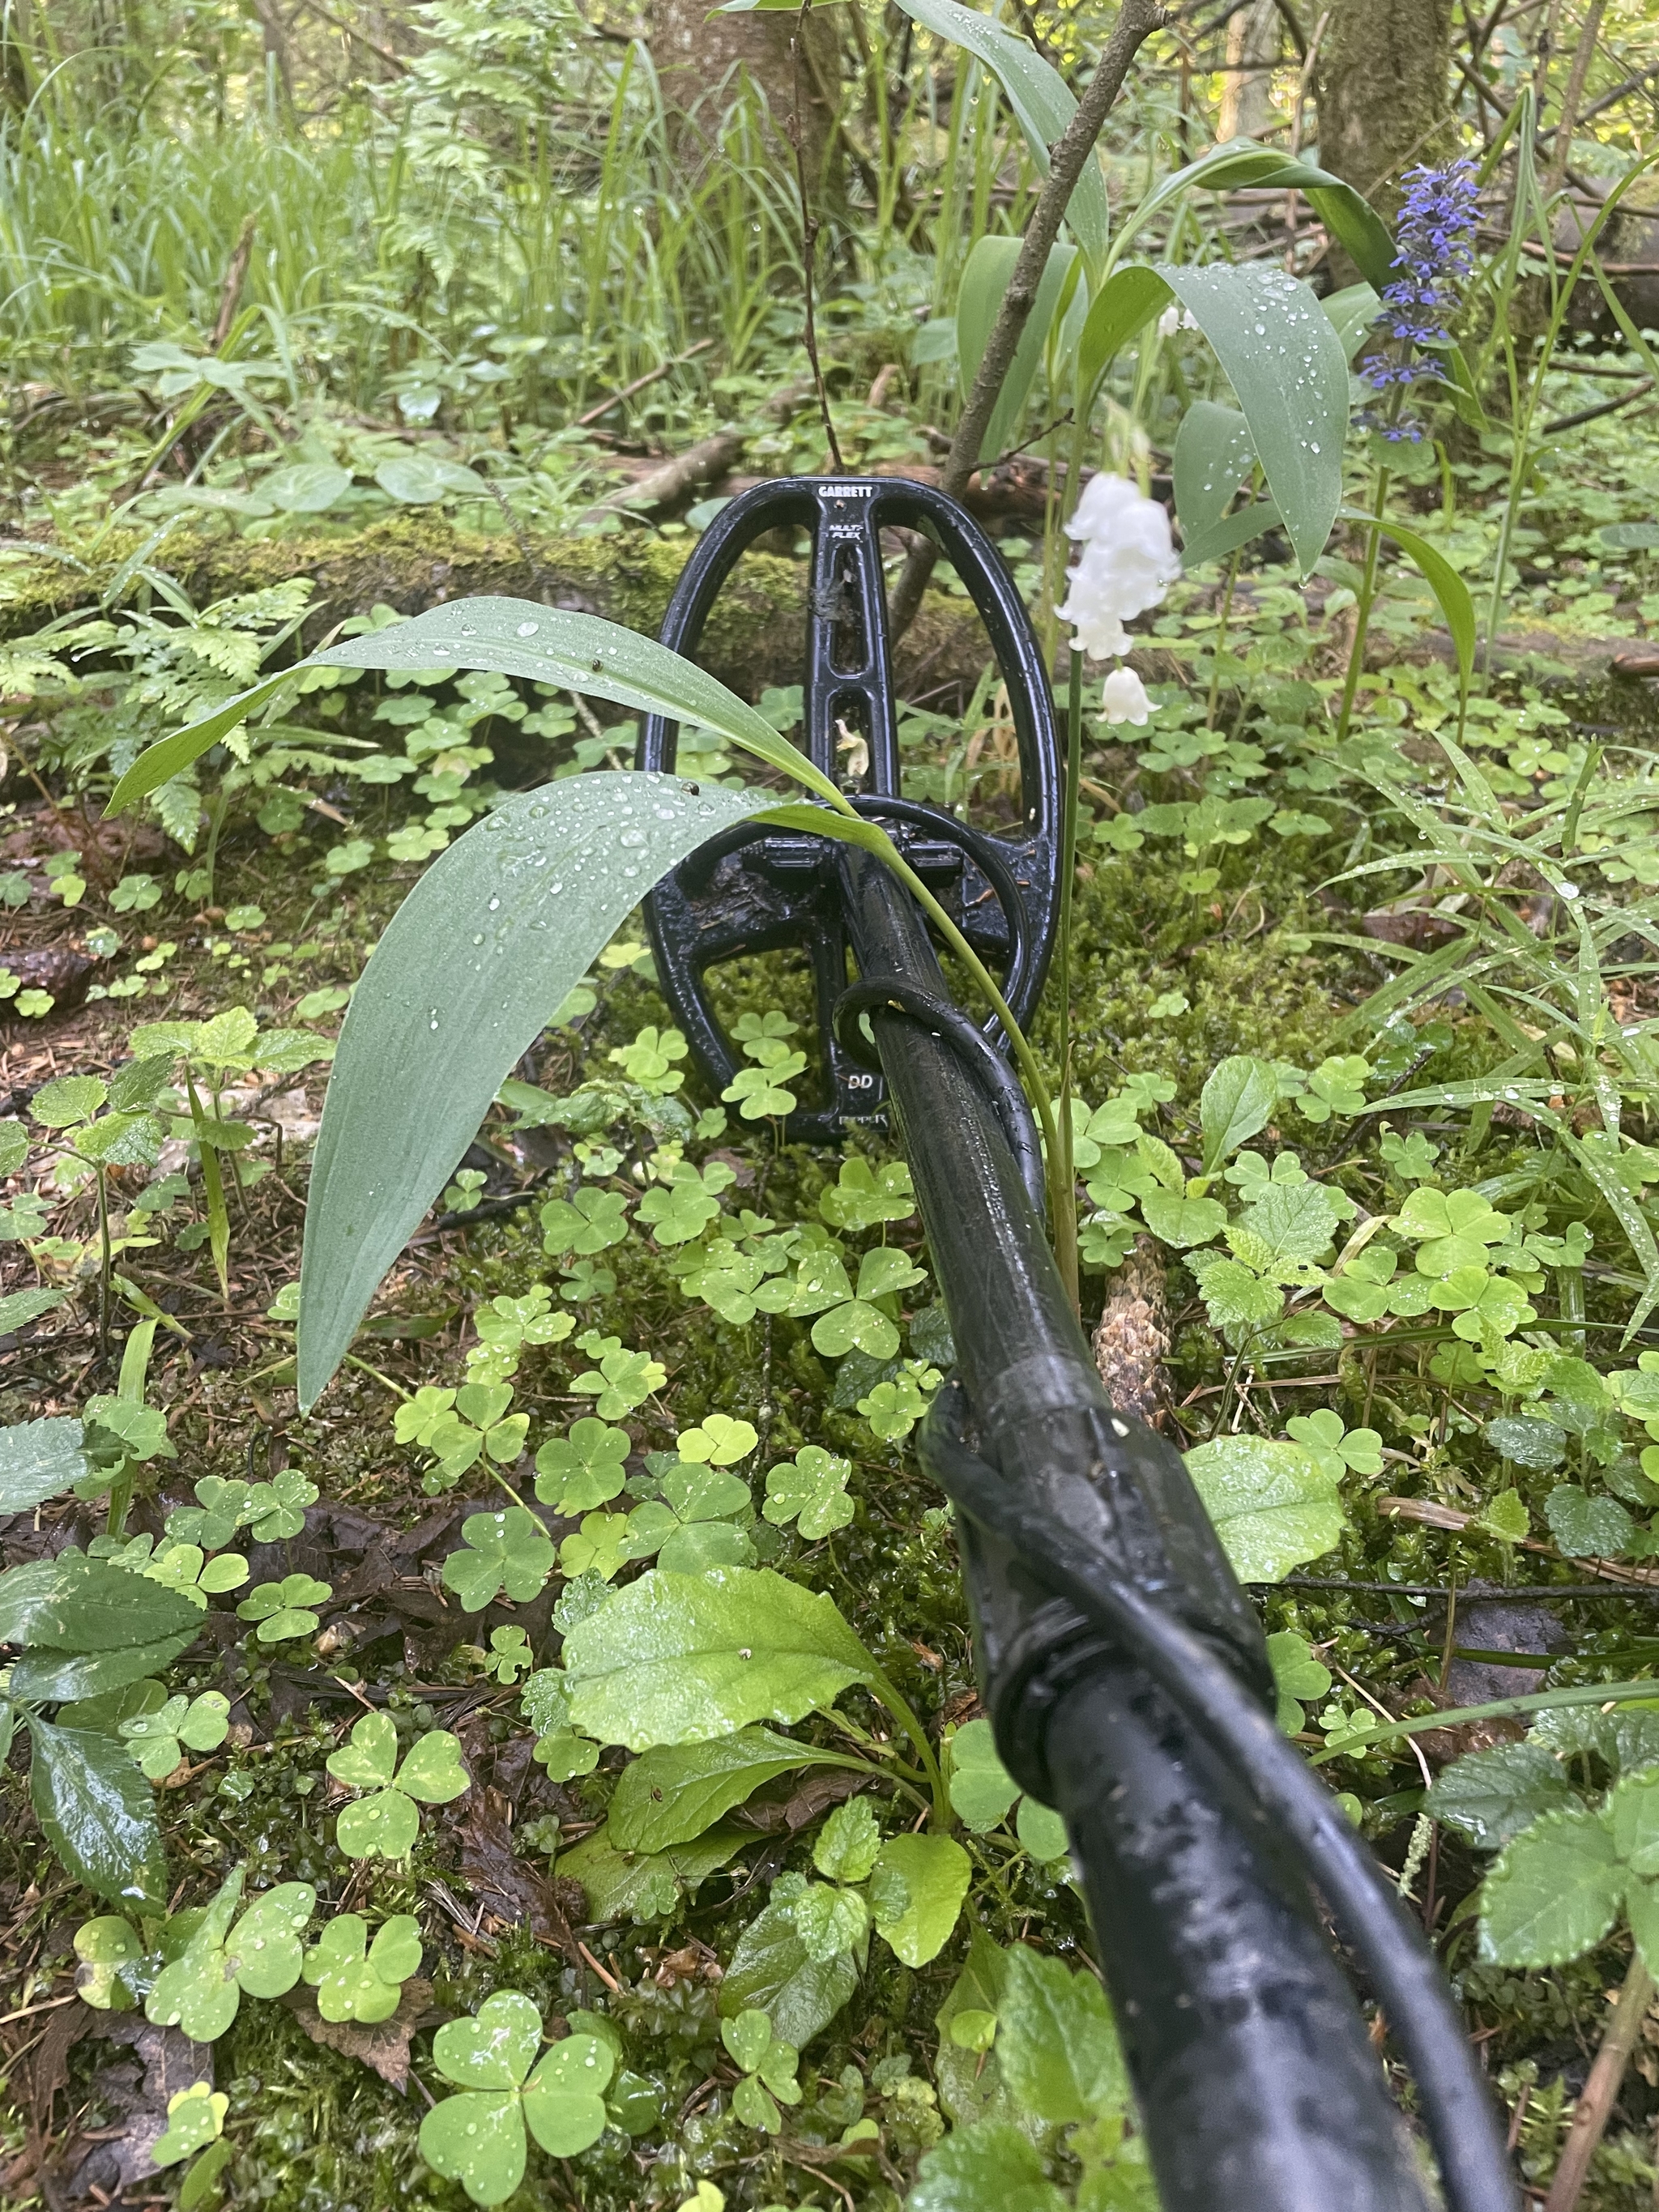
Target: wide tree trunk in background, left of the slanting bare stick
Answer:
pixel 700 61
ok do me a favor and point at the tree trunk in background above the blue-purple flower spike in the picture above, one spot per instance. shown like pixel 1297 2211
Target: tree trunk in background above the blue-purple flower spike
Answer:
pixel 1384 98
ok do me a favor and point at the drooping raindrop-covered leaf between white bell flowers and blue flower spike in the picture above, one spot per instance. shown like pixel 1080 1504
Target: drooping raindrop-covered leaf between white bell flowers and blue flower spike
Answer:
pixel 1291 377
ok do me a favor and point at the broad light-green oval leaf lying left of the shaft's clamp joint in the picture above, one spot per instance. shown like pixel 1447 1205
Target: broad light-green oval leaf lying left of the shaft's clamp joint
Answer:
pixel 687 1658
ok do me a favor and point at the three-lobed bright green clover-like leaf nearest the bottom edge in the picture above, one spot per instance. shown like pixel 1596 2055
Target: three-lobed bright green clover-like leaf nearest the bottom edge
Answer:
pixel 479 2136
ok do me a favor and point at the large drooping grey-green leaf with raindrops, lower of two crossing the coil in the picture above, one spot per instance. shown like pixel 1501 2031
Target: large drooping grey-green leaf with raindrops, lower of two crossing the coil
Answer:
pixel 457 992
